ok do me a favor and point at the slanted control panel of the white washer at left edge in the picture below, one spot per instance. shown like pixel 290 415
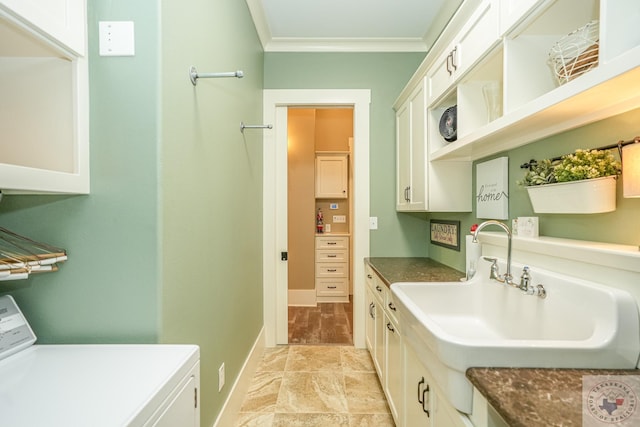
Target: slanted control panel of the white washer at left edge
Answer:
pixel 15 332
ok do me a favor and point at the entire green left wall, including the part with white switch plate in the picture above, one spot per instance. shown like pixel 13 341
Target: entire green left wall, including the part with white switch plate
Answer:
pixel 167 247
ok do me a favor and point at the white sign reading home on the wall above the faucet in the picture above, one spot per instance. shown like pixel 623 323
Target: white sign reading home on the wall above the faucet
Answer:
pixel 492 189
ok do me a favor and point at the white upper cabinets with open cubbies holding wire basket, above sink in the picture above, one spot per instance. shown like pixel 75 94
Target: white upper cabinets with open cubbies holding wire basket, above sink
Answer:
pixel 511 53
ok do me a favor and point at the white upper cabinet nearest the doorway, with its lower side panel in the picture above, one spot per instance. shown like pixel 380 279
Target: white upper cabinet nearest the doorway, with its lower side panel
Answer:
pixel 421 184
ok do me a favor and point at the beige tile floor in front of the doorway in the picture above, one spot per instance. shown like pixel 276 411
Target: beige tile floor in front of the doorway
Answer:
pixel 315 385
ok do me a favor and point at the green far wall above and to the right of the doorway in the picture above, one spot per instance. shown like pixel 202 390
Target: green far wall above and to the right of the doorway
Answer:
pixel 385 74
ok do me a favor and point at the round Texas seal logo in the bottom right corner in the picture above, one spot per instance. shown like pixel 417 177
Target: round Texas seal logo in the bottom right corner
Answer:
pixel 612 401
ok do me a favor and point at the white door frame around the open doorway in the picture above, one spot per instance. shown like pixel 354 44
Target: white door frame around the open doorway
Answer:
pixel 274 217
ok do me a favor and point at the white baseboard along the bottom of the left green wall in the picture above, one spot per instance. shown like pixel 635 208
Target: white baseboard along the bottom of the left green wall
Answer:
pixel 231 408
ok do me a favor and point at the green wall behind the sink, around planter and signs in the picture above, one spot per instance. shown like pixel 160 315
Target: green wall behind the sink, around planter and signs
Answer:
pixel 621 226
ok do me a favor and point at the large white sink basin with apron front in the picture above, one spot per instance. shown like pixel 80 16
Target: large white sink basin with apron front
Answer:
pixel 482 323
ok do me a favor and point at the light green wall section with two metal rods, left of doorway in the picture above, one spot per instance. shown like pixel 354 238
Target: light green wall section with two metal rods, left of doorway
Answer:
pixel 211 207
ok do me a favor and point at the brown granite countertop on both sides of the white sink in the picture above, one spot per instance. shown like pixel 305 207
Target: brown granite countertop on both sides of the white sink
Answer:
pixel 523 397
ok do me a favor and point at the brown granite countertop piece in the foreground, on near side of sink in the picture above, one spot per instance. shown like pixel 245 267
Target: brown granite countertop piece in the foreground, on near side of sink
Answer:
pixel 531 397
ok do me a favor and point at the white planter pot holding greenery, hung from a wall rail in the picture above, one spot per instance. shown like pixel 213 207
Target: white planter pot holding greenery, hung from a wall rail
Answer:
pixel 576 197
